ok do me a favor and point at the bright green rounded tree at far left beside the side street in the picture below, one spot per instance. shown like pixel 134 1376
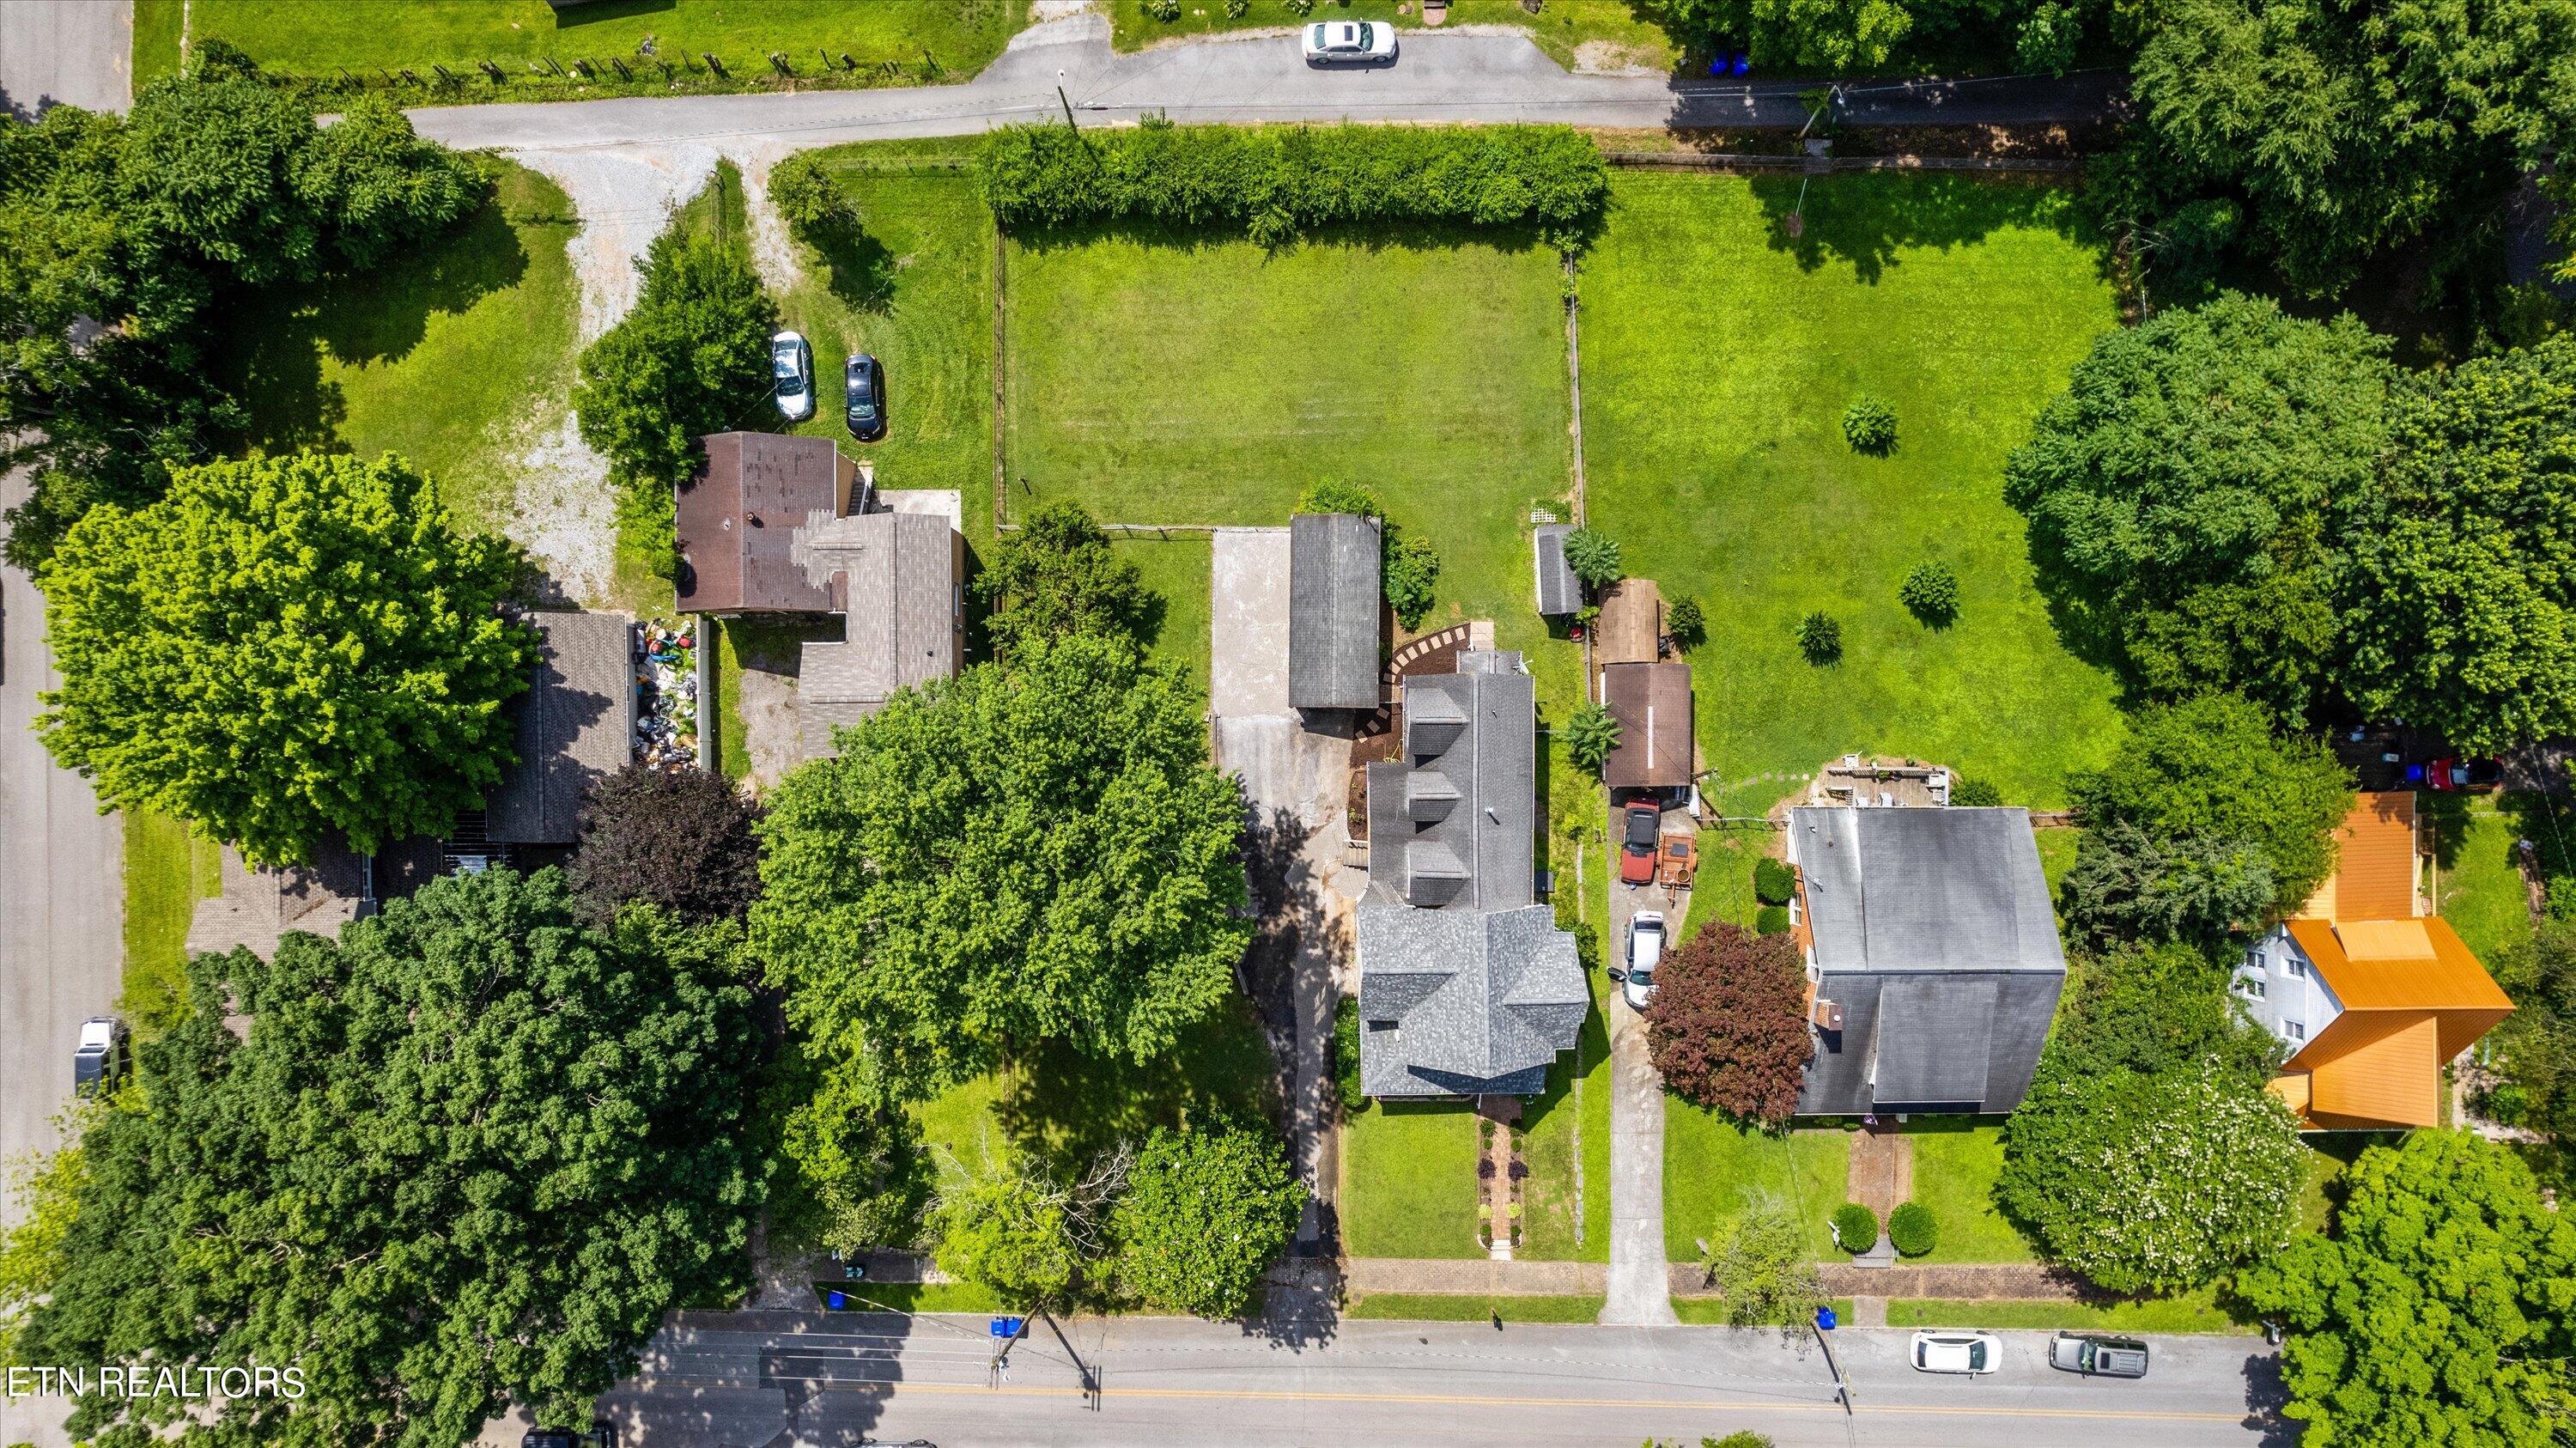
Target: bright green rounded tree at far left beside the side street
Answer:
pixel 285 648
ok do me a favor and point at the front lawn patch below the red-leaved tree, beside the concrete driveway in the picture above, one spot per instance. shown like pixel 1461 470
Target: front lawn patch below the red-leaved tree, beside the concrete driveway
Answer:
pixel 1712 1168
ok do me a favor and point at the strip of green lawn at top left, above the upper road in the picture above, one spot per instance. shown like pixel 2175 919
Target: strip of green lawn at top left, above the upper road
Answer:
pixel 316 37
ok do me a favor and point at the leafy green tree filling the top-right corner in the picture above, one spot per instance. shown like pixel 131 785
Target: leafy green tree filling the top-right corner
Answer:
pixel 2353 130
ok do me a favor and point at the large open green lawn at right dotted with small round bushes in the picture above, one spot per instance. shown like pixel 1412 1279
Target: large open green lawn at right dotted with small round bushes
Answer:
pixel 1717 365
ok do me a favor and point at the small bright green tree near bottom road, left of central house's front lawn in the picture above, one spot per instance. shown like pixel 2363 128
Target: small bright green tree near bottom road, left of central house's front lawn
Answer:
pixel 1204 1215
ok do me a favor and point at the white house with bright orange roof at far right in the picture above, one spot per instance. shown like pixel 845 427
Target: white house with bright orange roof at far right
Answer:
pixel 2366 988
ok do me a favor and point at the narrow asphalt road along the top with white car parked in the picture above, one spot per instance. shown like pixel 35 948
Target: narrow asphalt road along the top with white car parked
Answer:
pixel 1436 79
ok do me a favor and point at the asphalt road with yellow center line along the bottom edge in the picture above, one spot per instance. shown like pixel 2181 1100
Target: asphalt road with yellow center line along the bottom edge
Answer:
pixel 795 1380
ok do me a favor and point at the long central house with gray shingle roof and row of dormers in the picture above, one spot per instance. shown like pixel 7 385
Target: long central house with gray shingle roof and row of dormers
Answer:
pixel 1467 986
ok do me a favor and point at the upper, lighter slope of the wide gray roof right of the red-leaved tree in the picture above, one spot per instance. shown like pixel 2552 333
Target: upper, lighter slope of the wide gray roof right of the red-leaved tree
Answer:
pixel 1926 890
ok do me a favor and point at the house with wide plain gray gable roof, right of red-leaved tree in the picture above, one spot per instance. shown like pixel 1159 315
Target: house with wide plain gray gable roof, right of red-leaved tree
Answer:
pixel 1933 957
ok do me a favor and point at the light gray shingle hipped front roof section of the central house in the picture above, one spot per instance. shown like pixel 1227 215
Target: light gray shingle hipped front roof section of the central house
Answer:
pixel 1464 1004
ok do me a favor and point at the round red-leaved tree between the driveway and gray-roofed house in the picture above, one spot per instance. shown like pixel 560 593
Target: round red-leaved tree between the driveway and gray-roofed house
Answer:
pixel 1727 1024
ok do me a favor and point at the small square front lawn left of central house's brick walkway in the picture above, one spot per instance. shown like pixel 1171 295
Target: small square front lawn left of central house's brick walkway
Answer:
pixel 1410 1181
